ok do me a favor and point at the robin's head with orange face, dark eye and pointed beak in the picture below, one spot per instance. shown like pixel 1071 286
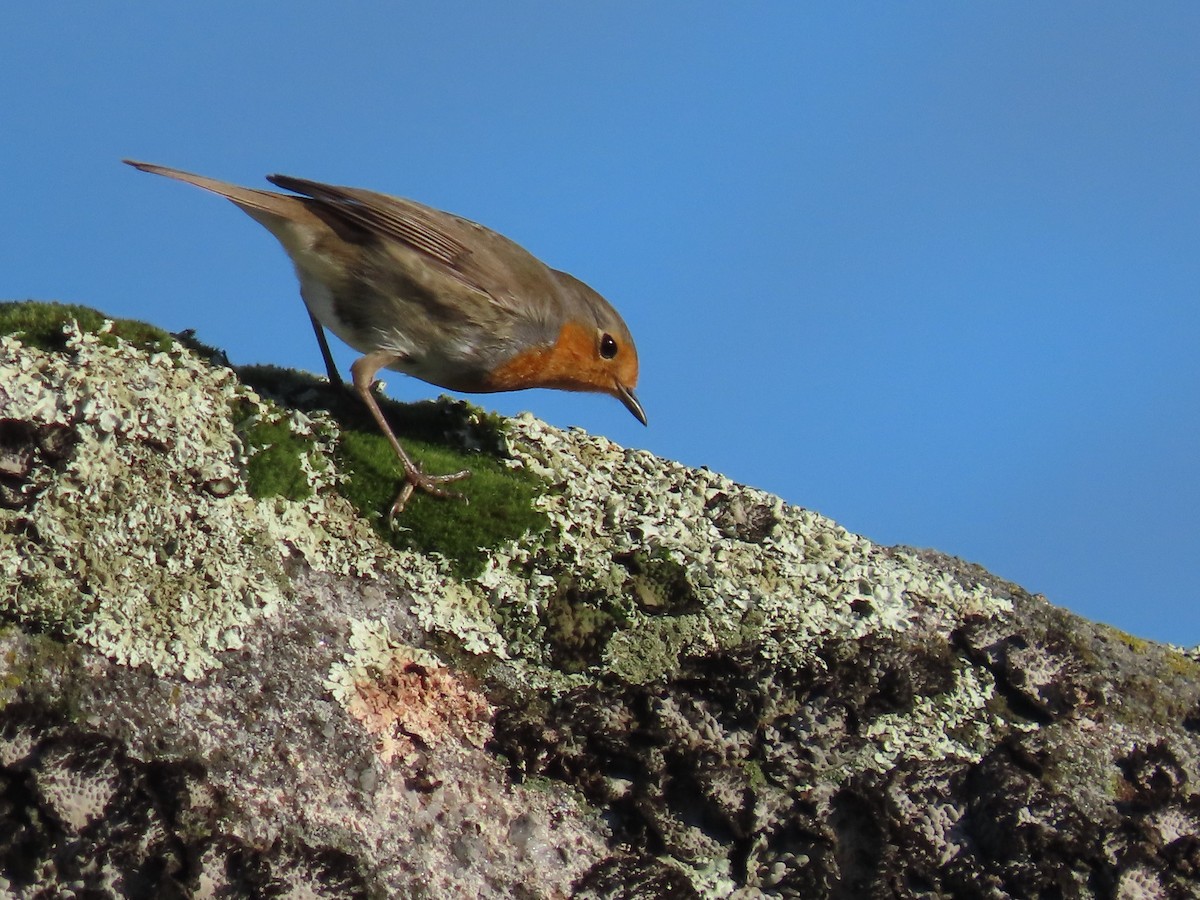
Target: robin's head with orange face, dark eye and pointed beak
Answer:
pixel 592 352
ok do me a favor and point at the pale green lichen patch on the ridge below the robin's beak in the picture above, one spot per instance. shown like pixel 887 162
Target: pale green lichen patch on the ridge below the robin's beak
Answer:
pixel 790 591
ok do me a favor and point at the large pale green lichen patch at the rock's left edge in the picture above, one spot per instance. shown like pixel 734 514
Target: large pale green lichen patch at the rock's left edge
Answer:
pixel 130 548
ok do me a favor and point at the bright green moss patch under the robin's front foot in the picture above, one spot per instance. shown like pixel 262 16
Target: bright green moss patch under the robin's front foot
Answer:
pixel 499 507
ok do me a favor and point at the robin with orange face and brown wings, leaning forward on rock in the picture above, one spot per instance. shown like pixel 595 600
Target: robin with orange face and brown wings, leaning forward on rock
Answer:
pixel 436 297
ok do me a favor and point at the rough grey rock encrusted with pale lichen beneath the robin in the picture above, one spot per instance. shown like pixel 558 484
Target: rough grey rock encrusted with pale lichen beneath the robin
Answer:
pixel 680 688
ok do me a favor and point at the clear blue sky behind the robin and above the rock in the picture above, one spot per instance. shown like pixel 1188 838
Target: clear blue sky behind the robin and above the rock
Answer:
pixel 931 269
